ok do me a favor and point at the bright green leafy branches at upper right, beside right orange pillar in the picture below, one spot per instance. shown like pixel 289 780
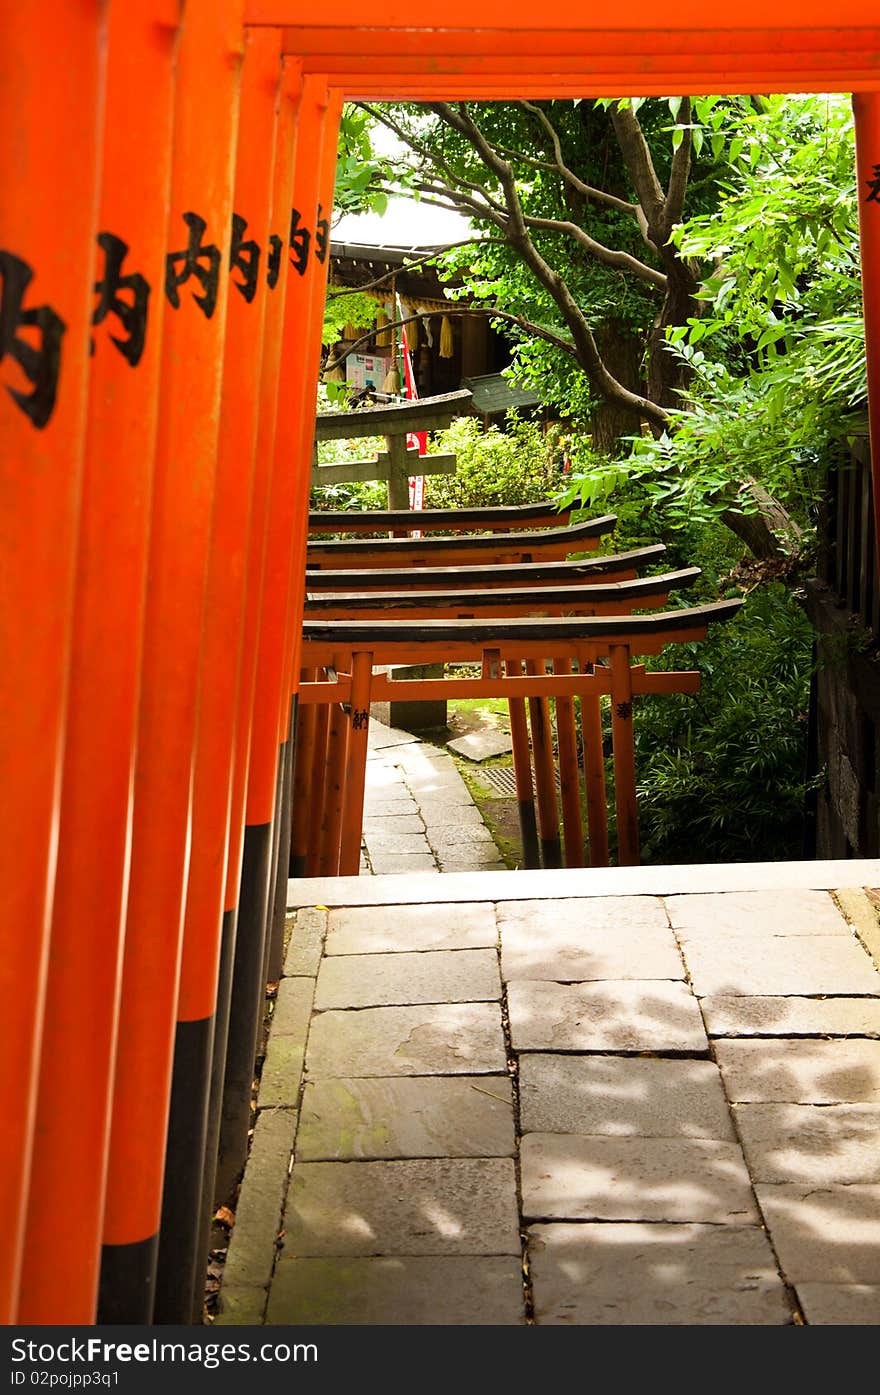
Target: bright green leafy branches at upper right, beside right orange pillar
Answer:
pixel 777 359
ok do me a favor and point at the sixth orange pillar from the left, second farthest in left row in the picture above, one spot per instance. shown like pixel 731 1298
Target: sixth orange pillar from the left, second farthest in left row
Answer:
pixel 271 704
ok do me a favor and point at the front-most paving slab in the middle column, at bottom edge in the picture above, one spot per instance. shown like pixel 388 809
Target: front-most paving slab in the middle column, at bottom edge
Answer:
pixel 672 1276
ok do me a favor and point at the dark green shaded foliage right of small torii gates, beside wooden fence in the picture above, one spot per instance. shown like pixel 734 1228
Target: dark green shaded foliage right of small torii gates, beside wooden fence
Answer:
pixel 722 775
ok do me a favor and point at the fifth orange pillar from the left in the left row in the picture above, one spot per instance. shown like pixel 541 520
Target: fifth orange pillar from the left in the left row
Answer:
pixel 266 482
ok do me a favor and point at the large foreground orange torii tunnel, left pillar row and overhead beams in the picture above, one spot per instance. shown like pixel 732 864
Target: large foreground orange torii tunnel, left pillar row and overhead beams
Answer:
pixel 160 326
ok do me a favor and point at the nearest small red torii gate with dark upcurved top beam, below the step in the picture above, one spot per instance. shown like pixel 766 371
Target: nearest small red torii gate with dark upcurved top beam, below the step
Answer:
pixel 602 649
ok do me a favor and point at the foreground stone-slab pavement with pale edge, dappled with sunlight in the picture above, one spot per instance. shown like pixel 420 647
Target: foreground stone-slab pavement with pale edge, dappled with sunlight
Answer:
pixel 599 1097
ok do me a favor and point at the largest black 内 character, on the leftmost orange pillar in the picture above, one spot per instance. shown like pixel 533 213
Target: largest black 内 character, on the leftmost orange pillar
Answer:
pixel 41 362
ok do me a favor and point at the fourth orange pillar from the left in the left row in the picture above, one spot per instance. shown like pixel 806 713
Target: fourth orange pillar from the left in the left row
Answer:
pixel 252 269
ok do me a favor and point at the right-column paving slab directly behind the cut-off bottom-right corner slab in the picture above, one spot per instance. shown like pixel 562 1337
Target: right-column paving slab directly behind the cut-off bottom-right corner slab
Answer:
pixel 825 1235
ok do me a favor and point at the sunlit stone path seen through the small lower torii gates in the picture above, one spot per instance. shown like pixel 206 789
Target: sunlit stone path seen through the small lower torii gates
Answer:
pixel 419 815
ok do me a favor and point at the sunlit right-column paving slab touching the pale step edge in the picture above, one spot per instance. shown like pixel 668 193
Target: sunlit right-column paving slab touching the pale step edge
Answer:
pixel 726 914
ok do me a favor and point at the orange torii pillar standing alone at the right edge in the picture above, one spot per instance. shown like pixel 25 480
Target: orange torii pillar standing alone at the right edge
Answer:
pixel 867 110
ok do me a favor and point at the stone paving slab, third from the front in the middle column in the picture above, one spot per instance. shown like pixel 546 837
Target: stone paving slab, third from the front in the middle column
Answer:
pixel 623 1096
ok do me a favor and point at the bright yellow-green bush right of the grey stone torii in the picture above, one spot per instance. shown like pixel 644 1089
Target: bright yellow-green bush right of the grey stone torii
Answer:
pixel 519 465
